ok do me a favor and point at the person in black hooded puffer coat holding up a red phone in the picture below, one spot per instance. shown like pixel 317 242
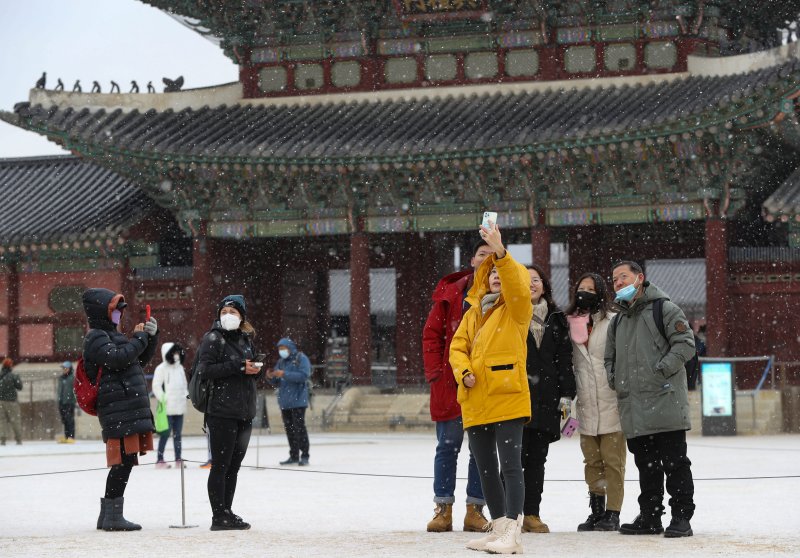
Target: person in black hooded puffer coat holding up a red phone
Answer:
pixel 123 404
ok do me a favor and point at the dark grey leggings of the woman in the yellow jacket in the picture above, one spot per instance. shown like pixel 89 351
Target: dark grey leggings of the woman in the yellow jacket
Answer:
pixel 497 447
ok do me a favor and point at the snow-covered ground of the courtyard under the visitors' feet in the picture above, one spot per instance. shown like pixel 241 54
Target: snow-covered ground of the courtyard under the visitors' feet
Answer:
pixel 370 495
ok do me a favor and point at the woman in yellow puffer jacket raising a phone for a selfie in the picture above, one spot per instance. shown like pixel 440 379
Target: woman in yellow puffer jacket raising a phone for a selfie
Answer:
pixel 488 355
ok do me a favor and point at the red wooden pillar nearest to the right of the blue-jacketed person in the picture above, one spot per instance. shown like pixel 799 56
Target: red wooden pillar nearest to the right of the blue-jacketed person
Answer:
pixel 360 330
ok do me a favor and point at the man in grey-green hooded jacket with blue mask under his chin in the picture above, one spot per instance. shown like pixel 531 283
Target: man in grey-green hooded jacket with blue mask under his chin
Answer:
pixel 646 369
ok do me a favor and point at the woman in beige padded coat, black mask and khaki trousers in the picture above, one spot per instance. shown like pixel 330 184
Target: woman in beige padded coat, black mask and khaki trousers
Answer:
pixel 602 442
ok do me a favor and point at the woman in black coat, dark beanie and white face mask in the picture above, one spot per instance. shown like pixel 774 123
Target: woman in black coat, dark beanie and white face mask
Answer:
pixel 225 357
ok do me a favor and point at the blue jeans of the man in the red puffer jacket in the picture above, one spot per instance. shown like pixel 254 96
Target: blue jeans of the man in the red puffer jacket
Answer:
pixel 450 436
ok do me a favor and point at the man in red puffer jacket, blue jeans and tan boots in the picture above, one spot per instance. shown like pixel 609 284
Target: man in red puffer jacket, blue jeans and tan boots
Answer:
pixel 443 321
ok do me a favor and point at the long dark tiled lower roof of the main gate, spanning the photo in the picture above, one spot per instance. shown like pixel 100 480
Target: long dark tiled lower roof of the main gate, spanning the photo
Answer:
pixel 398 130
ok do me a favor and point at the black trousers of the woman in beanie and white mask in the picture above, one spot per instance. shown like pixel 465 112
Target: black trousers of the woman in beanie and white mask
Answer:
pixel 228 439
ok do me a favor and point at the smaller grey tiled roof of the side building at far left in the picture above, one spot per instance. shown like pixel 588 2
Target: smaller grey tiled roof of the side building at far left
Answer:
pixel 48 199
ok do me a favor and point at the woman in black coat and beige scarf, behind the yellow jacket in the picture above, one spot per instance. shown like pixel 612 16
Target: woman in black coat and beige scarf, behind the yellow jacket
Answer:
pixel 552 387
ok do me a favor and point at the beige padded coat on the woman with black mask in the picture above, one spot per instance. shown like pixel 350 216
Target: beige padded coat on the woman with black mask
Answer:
pixel 596 403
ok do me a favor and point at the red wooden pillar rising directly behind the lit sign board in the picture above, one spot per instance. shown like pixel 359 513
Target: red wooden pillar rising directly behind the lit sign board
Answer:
pixel 716 287
